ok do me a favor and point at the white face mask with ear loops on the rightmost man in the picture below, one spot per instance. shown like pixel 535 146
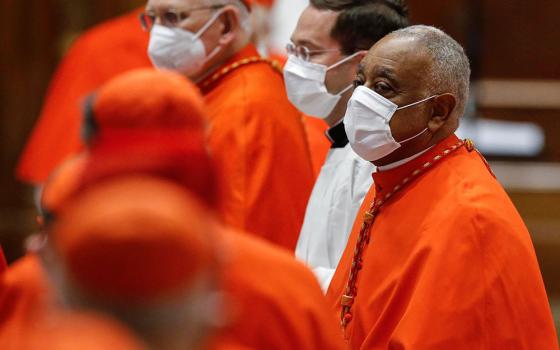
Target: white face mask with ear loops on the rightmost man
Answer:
pixel 367 124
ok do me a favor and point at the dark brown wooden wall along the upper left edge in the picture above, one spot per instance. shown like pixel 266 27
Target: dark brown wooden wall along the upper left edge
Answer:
pixel 33 37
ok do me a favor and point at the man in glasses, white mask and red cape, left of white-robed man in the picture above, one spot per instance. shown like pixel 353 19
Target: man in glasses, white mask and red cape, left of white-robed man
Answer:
pixel 255 134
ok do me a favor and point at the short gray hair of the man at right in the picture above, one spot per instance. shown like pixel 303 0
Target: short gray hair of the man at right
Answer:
pixel 450 71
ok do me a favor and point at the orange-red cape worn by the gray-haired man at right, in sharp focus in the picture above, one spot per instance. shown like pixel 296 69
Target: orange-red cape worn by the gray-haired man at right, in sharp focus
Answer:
pixel 449 263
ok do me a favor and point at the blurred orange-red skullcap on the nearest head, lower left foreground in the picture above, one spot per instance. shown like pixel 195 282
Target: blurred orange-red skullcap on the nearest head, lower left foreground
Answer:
pixel 134 239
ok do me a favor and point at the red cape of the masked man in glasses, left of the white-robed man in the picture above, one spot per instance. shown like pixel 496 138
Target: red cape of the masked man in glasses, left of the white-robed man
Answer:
pixel 258 140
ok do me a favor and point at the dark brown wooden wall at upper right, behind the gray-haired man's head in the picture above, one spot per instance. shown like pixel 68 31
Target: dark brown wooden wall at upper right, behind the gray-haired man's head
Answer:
pixel 506 39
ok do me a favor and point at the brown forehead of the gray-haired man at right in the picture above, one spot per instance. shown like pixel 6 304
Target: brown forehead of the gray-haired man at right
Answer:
pixel 403 56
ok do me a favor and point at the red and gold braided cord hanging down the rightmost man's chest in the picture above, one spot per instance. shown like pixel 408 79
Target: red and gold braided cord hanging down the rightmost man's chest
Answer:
pixel 351 290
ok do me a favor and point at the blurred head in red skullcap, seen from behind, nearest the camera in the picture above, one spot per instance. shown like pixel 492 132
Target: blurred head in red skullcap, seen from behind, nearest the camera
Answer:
pixel 140 249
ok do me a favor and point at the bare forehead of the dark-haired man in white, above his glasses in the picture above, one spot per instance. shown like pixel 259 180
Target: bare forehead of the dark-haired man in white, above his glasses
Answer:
pixel 314 27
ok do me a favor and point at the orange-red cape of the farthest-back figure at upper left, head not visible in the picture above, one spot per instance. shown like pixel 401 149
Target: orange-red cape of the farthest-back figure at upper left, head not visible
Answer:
pixel 101 53
